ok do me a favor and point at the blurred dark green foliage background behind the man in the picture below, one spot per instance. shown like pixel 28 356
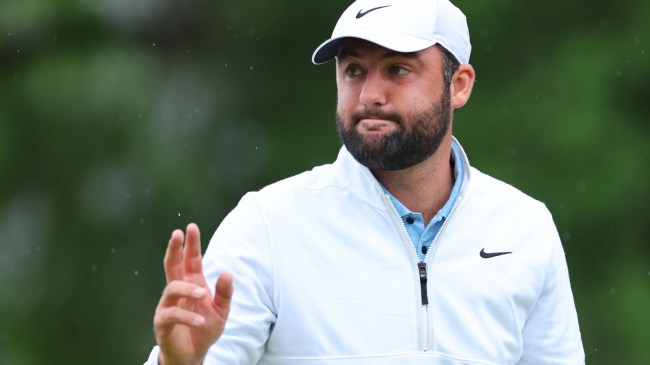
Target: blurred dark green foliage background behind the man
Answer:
pixel 121 120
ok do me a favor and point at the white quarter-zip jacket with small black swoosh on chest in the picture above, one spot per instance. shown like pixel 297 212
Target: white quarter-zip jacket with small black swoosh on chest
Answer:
pixel 325 274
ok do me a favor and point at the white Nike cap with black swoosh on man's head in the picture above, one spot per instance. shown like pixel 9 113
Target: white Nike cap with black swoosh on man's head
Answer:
pixel 402 26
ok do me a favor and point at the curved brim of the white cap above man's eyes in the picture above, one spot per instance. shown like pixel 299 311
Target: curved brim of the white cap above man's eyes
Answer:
pixel 392 40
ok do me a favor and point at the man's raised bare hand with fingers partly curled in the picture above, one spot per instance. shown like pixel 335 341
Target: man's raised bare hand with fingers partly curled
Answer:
pixel 188 318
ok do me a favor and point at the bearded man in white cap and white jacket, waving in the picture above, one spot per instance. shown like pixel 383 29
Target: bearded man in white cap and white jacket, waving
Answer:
pixel 397 253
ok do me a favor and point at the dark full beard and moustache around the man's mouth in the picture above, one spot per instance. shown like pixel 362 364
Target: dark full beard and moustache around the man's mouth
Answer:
pixel 413 142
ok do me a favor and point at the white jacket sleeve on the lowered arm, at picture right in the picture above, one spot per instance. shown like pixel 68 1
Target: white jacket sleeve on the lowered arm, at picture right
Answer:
pixel 551 333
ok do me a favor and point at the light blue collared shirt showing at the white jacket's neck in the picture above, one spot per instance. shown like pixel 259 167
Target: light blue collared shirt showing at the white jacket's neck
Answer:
pixel 421 236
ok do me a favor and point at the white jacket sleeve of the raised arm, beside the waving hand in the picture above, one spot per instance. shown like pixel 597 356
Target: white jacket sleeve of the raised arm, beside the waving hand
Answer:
pixel 241 246
